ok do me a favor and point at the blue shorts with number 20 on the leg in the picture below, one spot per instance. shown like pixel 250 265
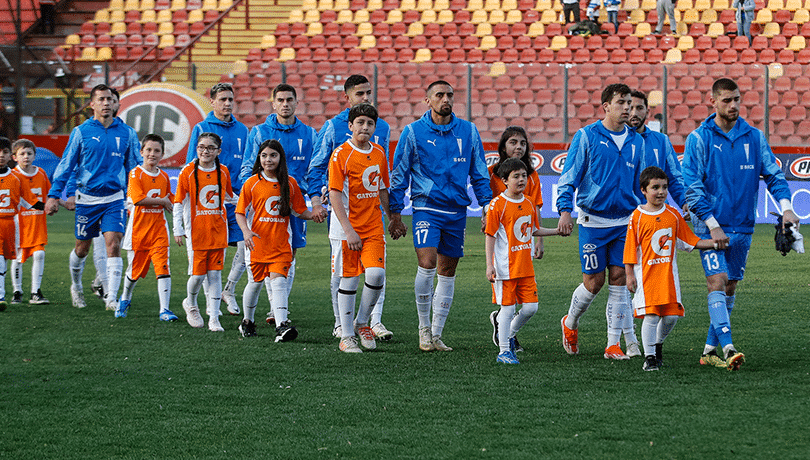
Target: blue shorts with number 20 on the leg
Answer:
pixel 600 247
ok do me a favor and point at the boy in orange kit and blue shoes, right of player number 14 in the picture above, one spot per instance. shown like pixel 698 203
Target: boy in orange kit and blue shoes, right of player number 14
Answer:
pixel 147 236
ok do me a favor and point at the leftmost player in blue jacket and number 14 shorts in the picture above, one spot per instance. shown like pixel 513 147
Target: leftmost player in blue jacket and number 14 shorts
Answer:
pixel 102 151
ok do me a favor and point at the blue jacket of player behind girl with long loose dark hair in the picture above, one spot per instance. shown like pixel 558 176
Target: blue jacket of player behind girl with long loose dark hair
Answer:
pixel 297 139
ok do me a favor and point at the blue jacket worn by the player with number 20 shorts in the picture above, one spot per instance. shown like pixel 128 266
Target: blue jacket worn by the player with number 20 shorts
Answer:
pixel 605 179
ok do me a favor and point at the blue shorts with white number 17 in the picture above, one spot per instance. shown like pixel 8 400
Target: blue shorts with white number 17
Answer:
pixel 445 232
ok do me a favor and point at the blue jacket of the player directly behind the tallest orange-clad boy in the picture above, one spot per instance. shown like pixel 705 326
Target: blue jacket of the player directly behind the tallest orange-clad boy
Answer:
pixel 333 134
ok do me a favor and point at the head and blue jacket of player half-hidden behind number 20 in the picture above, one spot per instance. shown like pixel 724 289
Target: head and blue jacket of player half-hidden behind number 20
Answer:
pixel 659 151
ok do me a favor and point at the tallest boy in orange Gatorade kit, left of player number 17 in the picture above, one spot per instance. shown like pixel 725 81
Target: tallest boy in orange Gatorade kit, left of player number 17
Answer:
pixel 358 186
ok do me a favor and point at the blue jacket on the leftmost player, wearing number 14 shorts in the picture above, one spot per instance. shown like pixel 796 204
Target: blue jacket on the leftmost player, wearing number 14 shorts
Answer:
pixel 96 160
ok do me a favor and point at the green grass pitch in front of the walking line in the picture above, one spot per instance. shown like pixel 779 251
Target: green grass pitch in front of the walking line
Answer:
pixel 82 384
